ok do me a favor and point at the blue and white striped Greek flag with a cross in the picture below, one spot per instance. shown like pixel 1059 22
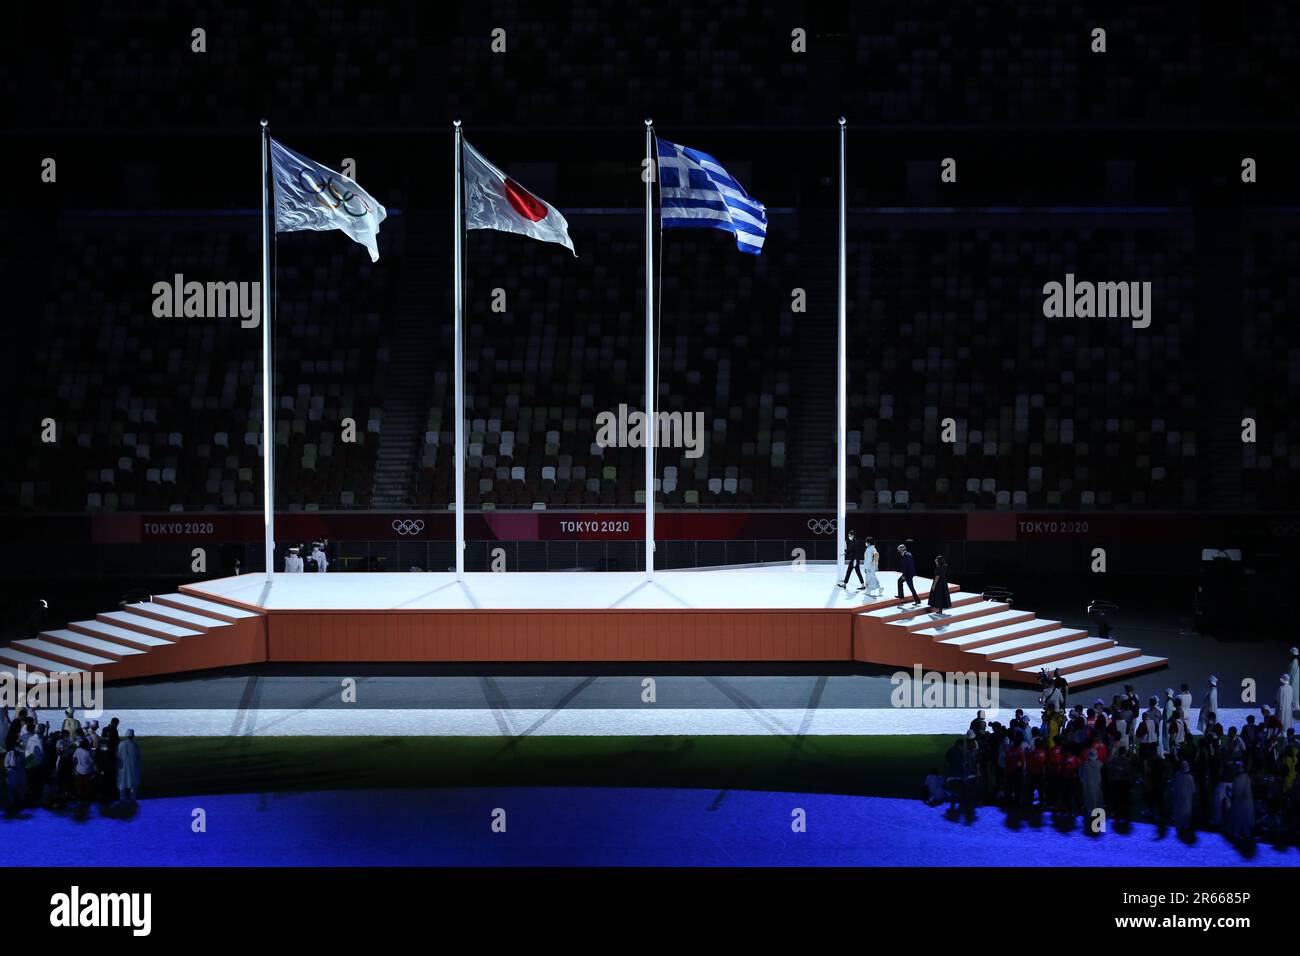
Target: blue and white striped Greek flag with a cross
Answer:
pixel 697 193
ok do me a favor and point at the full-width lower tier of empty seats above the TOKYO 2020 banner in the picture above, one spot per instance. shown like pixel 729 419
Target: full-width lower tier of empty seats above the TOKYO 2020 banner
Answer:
pixel 163 414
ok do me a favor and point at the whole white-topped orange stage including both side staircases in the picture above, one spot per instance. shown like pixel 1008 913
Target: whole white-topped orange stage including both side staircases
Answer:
pixel 765 613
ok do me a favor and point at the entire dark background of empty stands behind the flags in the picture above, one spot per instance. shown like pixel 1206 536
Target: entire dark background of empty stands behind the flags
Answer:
pixel 1124 166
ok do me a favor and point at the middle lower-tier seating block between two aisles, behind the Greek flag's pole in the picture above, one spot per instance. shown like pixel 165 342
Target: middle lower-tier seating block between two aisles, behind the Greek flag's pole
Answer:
pixel 571 347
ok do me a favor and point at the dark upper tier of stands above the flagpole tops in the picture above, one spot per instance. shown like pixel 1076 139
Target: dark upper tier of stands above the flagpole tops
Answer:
pixel 921 62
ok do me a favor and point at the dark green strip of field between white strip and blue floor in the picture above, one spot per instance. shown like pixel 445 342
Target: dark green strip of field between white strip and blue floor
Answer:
pixel 864 765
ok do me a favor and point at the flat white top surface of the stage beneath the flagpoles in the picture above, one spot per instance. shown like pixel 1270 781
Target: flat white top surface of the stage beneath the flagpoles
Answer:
pixel 759 589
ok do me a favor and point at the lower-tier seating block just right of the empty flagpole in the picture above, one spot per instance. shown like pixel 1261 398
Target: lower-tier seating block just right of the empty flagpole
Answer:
pixel 1081 414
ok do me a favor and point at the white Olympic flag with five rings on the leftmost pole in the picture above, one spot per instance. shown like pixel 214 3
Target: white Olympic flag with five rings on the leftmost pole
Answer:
pixel 314 197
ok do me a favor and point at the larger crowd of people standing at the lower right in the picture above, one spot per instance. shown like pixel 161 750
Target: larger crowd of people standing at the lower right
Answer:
pixel 1136 763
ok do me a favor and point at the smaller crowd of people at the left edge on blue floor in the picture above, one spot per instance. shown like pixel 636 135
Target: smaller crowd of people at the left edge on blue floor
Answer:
pixel 71 767
